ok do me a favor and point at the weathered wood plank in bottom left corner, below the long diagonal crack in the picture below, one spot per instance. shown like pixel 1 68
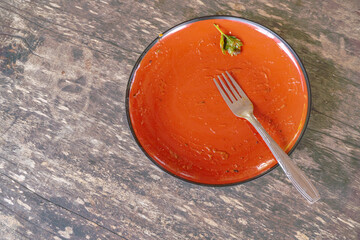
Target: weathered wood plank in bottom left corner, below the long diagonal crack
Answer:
pixel 35 216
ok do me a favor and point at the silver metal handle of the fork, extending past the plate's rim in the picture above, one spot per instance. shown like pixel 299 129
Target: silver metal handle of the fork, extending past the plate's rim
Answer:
pixel 296 176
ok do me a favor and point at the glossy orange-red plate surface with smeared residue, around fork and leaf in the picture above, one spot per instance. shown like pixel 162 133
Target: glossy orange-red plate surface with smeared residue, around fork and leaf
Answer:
pixel 181 120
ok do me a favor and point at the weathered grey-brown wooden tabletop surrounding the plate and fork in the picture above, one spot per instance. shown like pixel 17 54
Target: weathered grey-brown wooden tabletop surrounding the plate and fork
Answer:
pixel 70 169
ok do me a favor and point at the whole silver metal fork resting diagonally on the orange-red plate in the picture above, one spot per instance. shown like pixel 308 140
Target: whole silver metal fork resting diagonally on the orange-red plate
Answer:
pixel 242 107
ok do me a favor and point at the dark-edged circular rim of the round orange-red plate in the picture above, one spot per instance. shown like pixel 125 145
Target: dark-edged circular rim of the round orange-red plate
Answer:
pixel 235 18
